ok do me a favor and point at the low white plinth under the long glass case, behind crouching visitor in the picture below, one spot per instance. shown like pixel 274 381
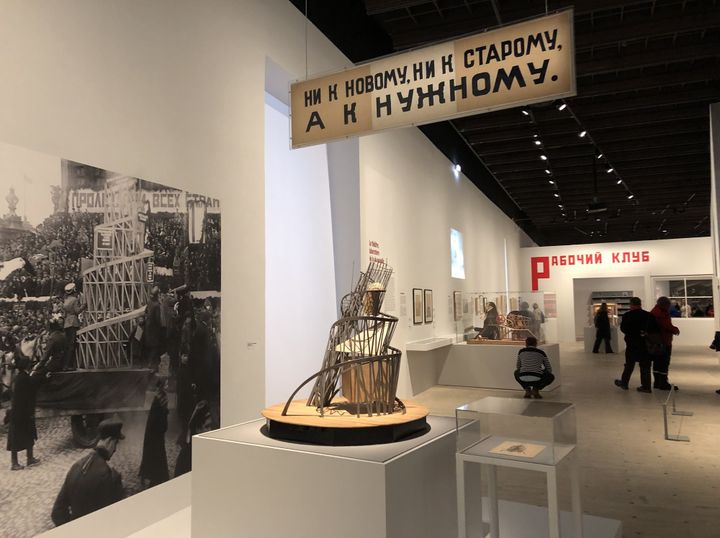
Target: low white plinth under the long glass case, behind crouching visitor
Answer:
pixel 491 366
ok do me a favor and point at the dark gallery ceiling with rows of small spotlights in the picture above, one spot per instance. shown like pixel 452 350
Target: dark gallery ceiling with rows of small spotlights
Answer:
pixel 646 73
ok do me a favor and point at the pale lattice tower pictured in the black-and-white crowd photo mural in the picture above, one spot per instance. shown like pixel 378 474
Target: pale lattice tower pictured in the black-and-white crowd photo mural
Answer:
pixel 116 287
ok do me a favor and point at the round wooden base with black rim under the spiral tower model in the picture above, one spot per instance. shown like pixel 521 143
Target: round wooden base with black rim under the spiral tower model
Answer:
pixel 340 425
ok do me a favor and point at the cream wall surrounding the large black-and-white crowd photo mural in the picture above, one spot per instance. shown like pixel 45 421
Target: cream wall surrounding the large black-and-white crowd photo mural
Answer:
pixel 170 91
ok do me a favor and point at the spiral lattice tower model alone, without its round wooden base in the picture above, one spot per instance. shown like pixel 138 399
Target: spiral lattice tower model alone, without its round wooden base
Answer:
pixel 358 357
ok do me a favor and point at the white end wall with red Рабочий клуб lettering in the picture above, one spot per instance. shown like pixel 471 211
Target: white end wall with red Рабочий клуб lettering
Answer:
pixel 668 257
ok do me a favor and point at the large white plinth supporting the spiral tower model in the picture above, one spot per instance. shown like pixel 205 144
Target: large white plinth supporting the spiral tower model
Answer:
pixel 246 484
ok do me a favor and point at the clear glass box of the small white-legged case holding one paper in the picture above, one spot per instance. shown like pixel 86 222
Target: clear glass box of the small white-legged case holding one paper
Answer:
pixel 517 429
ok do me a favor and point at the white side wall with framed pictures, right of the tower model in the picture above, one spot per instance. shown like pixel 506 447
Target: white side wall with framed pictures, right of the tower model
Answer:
pixel 410 198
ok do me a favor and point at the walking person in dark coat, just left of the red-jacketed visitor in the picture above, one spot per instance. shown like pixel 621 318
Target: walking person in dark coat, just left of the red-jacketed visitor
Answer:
pixel 635 323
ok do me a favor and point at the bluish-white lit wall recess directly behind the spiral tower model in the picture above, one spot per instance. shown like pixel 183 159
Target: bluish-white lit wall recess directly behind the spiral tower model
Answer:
pixel 299 269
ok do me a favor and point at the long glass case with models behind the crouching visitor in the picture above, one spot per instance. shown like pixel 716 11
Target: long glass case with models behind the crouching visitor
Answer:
pixel 502 317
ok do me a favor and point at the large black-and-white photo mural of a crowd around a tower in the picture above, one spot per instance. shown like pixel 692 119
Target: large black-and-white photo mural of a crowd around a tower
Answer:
pixel 109 336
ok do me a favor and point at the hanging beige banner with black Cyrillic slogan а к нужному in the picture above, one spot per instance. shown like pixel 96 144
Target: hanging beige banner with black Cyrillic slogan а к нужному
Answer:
pixel 528 62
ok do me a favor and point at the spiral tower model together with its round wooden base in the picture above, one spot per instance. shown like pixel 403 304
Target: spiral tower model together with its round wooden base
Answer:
pixel 361 364
